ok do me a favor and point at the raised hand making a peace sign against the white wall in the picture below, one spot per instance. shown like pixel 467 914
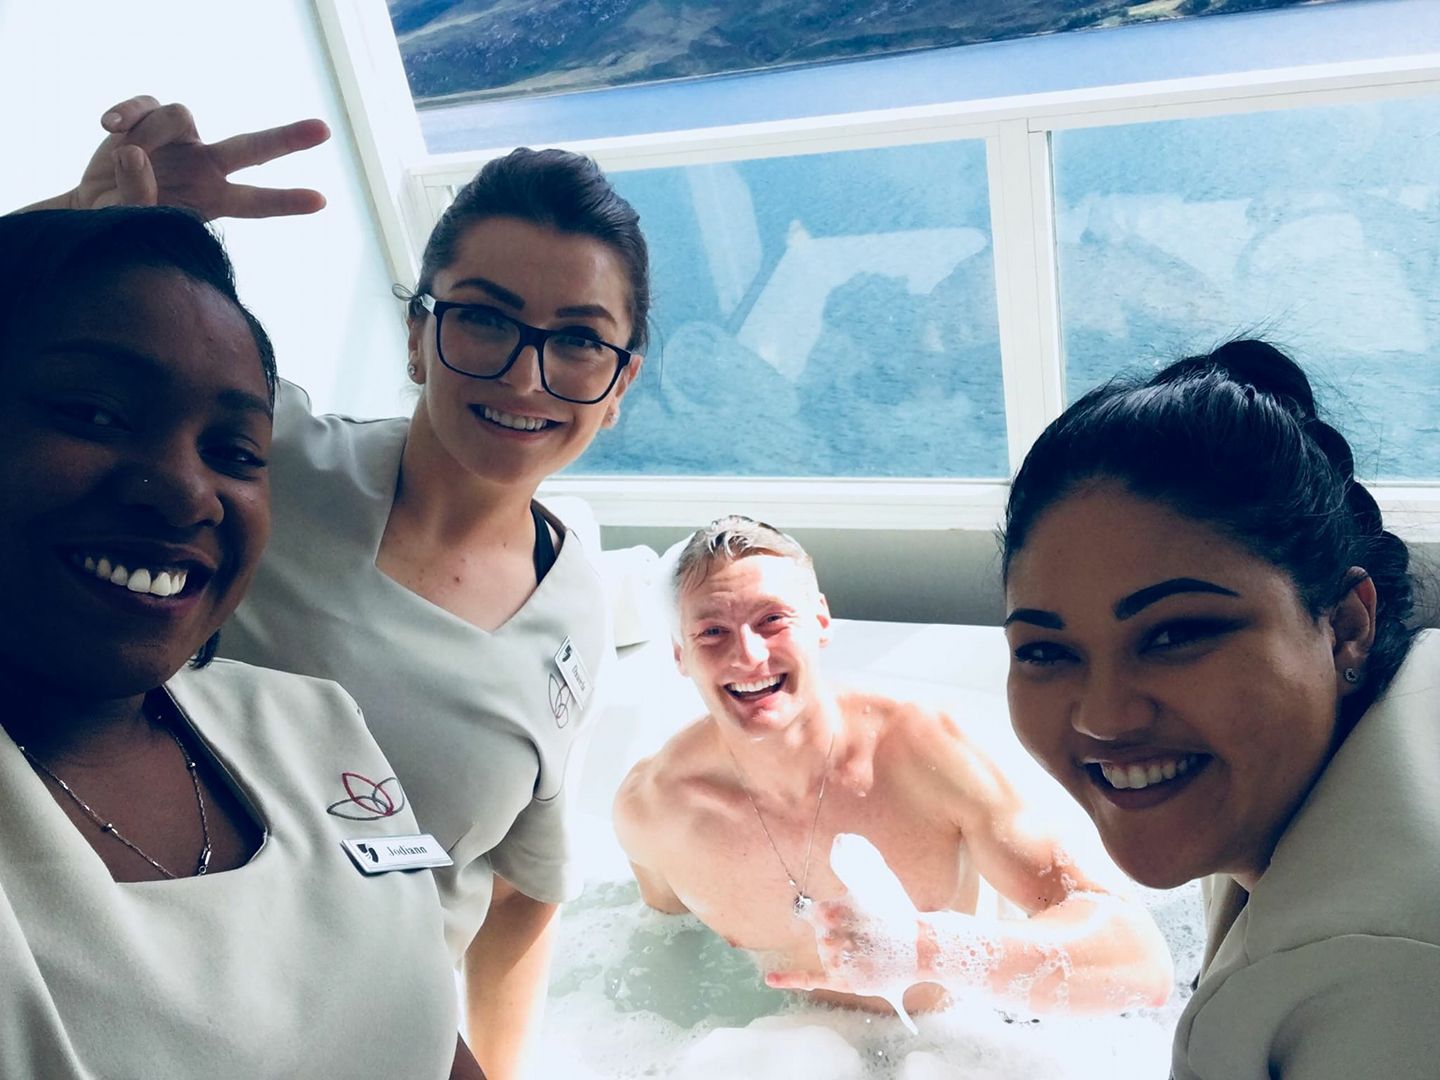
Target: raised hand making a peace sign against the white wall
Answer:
pixel 155 156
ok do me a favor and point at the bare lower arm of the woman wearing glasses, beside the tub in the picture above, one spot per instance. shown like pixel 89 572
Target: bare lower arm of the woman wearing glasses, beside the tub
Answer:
pixel 506 978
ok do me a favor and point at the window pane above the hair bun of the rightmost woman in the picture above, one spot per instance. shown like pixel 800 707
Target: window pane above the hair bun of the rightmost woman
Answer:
pixel 1318 230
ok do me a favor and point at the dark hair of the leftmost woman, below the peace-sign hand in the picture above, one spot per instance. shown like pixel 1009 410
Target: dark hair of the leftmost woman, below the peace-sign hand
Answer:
pixel 45 254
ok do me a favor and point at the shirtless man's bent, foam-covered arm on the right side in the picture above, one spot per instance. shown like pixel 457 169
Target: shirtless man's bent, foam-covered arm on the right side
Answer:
pixel 1086 947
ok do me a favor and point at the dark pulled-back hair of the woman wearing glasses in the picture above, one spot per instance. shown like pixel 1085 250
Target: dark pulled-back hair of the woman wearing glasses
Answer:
pixel 559 191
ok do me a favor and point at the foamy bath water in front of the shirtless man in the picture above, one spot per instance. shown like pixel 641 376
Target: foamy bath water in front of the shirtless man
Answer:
pixel 620 1013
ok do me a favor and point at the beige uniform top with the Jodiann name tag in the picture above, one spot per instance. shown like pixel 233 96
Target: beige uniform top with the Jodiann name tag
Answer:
pixel 294 966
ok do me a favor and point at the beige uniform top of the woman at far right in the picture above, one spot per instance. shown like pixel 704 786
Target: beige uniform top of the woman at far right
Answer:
pixel 1331 968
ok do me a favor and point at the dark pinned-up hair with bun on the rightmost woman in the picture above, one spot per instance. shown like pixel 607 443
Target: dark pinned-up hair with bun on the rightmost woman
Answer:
pixel 1232 440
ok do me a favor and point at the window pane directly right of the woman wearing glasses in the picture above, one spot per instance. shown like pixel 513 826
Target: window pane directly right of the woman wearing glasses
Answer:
pixel 820 316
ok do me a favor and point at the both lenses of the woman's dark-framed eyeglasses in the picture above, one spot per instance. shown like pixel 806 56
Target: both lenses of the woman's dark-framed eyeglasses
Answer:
pixel 482 343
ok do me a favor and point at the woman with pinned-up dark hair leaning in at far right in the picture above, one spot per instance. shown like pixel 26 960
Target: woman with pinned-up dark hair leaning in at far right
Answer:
pixel 1212 652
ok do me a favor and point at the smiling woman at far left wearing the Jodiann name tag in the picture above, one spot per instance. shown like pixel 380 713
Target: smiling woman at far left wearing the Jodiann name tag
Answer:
pixel 175 898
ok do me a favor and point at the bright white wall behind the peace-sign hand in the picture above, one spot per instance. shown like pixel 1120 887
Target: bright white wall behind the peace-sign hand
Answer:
pixel 320 284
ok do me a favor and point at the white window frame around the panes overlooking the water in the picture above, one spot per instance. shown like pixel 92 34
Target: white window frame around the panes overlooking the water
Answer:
pixel 411 188
